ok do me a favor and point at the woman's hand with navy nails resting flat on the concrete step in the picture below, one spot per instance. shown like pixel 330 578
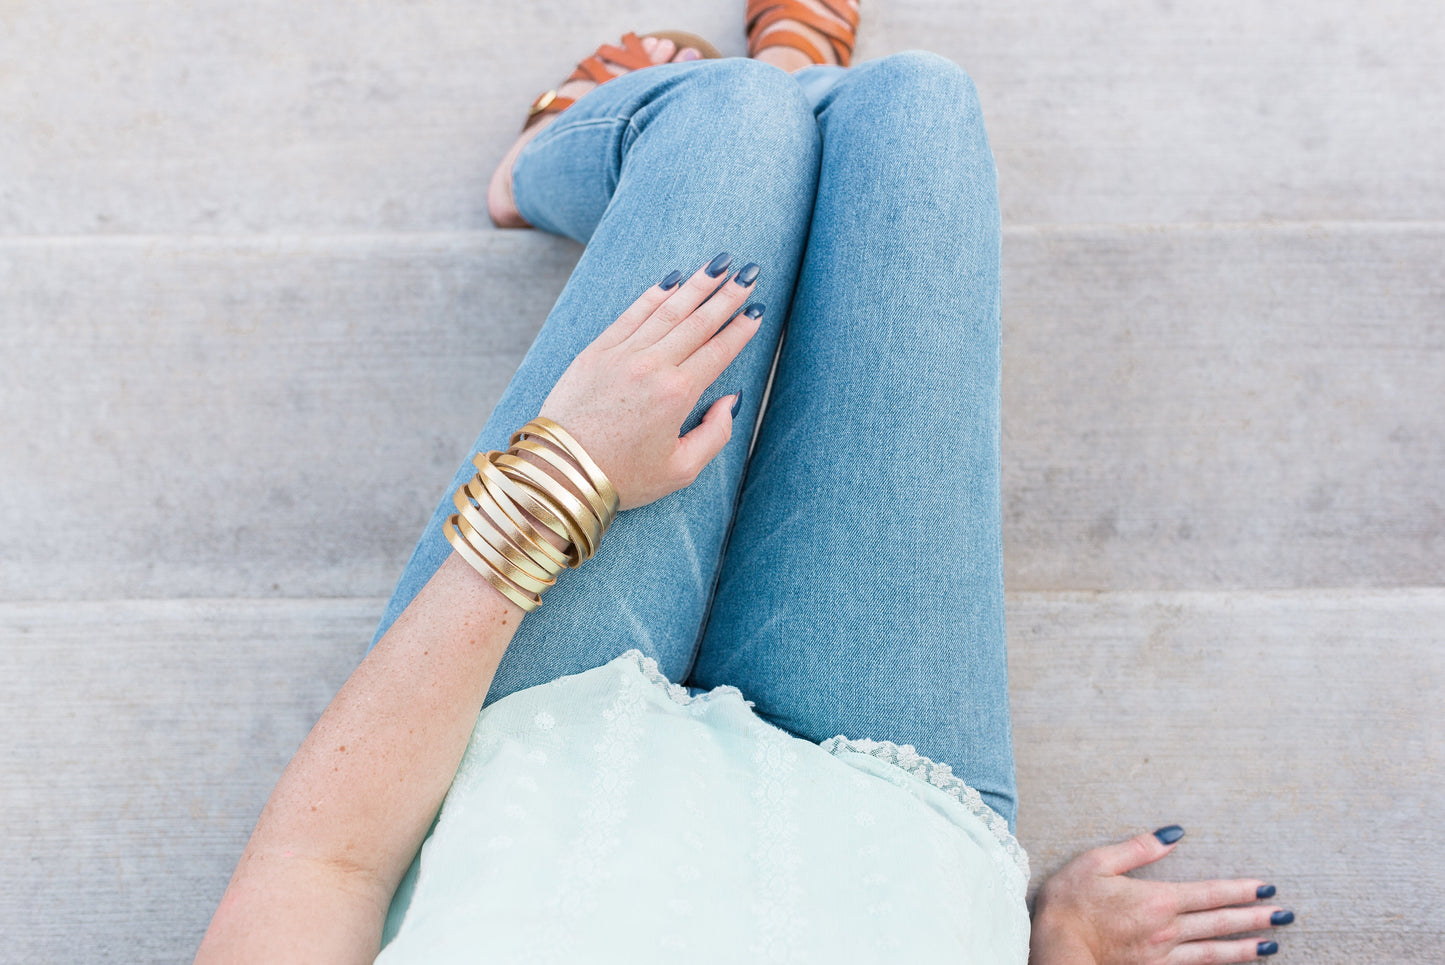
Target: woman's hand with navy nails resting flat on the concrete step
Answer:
pixel 1093 914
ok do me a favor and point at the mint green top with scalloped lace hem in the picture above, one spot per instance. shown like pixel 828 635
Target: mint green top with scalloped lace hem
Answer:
pixel 611 817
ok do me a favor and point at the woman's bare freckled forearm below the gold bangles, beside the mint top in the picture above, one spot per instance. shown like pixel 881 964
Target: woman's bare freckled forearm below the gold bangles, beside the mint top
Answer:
pixel 352 808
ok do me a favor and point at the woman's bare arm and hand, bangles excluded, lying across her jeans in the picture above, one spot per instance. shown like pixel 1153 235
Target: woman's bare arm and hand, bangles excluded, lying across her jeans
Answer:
pixel 356 801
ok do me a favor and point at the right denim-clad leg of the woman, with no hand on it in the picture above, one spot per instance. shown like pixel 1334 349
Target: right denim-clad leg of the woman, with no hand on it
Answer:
pixel 862 590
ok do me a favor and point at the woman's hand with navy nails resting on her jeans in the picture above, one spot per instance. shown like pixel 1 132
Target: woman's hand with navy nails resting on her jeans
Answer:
pixel 626 395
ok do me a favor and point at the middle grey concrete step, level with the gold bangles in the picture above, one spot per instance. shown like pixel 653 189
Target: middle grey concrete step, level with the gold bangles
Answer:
pixel 1184 408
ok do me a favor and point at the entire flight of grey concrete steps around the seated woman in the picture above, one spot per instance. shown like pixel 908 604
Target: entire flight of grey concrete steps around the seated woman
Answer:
pixel 246 274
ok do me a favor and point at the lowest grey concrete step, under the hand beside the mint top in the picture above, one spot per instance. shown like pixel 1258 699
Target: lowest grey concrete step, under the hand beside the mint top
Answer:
pixel 1297 736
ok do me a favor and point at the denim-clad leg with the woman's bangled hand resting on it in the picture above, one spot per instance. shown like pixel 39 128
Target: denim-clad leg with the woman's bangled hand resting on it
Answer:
pixel 655 171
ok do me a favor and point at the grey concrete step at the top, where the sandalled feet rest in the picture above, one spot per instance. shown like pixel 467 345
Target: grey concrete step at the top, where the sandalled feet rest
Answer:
pixel 269 116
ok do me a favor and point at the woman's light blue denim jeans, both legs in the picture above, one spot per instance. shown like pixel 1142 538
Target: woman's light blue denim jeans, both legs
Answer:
pixel 849 576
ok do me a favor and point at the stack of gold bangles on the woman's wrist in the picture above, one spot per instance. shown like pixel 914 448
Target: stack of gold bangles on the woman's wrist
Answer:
pixel 499 512
